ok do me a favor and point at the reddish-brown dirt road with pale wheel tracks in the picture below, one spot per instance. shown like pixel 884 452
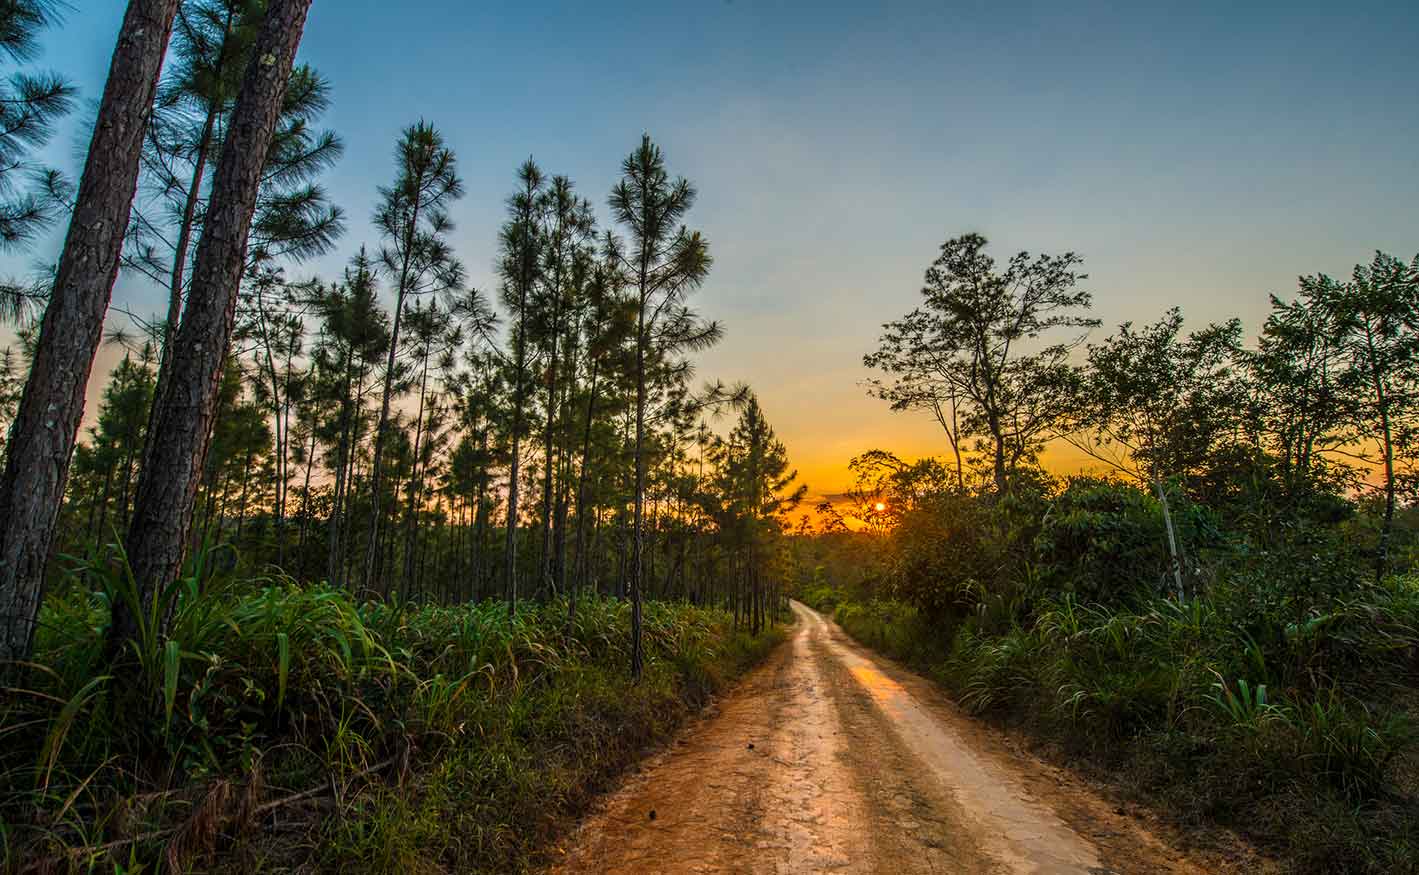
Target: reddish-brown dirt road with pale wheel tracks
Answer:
pixel 829 759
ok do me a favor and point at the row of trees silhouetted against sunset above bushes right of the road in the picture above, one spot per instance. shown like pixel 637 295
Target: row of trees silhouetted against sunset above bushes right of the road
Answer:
pixel 1322 409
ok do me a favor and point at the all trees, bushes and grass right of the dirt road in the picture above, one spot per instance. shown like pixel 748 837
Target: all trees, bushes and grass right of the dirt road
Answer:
pixel 1222 619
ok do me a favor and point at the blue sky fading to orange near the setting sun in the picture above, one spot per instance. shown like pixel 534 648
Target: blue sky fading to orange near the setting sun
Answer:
pixel 1200 155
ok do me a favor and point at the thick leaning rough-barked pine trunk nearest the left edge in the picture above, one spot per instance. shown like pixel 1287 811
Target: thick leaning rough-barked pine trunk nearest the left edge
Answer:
pixel 53 405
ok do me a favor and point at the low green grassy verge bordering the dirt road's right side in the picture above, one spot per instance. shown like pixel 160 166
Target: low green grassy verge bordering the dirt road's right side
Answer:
pixel 1305 745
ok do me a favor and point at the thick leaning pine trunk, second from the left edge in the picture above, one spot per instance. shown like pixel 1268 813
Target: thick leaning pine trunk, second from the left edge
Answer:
pixel 178 449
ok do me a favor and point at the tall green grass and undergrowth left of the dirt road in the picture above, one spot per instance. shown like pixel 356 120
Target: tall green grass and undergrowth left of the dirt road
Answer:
pixel 285 727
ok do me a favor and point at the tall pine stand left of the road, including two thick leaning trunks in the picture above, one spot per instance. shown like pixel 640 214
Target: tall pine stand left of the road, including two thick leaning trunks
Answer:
pixel 543 439
